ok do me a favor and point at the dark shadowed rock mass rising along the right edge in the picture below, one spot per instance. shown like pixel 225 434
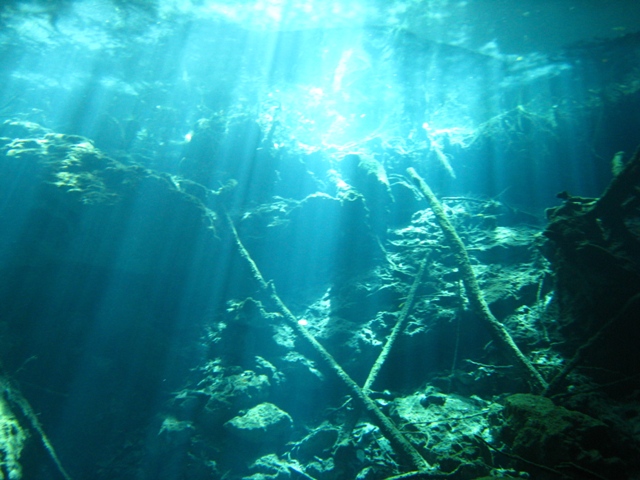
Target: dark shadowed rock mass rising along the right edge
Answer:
pixel 595 249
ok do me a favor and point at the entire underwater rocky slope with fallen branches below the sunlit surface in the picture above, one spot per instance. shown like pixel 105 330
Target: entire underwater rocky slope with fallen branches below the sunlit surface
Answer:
pixel 277 382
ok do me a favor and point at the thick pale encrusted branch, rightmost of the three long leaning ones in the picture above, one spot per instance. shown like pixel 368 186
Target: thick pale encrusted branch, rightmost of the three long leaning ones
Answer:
pixel 474 294
